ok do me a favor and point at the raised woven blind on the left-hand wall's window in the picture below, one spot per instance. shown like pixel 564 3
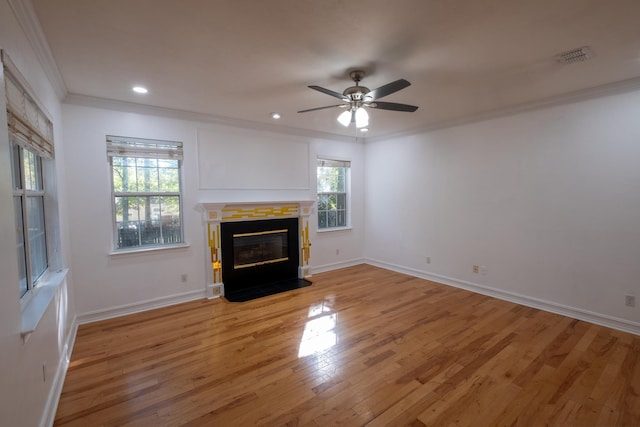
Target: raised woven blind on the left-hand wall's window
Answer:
pixel 27 122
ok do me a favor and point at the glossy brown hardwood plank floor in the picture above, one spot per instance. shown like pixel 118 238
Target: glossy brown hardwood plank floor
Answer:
pixel 362 346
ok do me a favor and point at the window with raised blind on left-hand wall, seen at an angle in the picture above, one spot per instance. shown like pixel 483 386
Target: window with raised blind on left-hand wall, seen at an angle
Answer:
pixel 30 129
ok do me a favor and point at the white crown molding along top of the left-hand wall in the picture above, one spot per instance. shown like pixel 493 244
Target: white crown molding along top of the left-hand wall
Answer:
pixel 26 16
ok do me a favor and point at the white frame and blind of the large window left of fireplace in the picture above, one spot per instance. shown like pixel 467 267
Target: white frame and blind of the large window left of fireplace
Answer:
pixel 157 151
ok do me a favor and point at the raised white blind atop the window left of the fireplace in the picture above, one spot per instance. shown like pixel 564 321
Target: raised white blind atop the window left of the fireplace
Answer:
pixel 119 146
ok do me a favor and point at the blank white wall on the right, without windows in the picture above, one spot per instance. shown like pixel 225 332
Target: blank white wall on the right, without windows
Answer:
pixel 548 201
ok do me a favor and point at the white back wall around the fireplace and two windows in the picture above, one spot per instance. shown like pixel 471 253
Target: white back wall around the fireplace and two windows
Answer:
pixel 107 283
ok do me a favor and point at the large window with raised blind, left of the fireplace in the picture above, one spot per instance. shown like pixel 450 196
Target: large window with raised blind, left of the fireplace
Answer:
pixel 146 191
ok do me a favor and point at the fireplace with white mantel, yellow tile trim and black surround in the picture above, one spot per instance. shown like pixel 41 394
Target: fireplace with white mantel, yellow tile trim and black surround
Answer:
pixel 261 246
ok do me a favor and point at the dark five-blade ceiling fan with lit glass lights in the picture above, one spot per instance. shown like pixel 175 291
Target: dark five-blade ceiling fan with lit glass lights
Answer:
pixel 356 97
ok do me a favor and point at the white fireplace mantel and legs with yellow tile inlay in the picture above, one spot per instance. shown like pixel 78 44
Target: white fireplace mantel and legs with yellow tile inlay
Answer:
pixel 215 213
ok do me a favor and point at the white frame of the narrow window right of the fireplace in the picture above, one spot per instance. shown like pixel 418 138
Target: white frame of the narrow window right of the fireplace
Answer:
pixel 334 163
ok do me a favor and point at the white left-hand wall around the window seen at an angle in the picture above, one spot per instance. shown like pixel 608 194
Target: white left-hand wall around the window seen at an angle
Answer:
pixel 24 394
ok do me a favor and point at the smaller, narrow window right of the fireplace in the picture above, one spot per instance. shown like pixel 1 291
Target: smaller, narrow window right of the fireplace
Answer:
pixel 333 186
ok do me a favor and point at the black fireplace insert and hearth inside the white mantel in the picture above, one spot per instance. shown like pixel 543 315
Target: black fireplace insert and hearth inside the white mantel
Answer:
pixel 260 258
